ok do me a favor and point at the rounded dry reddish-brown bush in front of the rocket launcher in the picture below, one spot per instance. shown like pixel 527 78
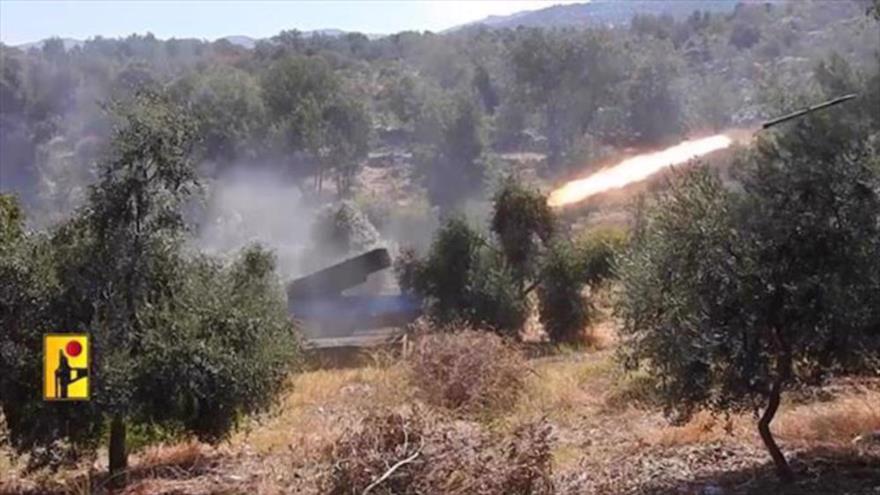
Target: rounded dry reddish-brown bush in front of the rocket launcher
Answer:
pixel 467 371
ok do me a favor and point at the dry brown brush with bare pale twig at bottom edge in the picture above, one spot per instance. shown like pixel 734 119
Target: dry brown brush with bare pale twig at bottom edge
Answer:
pixel 410 452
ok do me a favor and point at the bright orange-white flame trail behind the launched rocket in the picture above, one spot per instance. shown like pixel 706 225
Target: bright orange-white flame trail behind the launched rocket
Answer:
pixel 636 168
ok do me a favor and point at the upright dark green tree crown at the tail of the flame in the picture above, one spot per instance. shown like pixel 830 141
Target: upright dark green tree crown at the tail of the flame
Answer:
pixel 522 222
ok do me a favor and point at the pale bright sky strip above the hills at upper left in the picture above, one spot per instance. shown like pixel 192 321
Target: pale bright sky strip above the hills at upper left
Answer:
pixel 23 21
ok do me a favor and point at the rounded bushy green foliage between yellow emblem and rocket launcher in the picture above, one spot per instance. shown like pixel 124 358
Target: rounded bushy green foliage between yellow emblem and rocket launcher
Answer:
pixel 232 341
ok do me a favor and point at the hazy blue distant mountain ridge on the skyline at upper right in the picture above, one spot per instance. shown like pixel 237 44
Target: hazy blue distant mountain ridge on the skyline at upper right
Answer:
pixel 599 12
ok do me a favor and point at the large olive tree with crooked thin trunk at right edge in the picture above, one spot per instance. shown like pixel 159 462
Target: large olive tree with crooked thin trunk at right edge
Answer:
pixel 732 297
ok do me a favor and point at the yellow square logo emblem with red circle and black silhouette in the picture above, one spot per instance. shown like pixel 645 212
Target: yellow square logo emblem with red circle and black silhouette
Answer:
pixel 66 366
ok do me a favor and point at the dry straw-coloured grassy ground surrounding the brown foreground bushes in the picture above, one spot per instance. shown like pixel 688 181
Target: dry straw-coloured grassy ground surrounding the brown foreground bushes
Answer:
pixel 604 442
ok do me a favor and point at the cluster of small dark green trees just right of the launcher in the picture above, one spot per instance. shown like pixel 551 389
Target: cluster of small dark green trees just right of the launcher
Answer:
pixel 487 283
